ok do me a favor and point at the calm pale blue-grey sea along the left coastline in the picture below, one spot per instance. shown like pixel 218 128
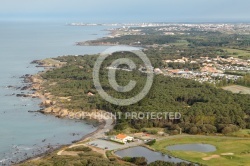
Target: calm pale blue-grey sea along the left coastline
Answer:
pixel 24 134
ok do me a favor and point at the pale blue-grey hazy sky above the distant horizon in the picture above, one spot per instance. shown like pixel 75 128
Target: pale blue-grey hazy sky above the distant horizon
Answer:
pixel 127 10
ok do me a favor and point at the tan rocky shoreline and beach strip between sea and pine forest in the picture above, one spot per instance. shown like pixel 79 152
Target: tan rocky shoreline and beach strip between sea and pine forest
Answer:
pixel 49 105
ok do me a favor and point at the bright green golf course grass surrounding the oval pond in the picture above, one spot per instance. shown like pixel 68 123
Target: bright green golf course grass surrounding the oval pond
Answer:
pixel 237 150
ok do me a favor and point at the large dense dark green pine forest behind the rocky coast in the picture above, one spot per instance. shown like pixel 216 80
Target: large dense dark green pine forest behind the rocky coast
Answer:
pixel 204 108
